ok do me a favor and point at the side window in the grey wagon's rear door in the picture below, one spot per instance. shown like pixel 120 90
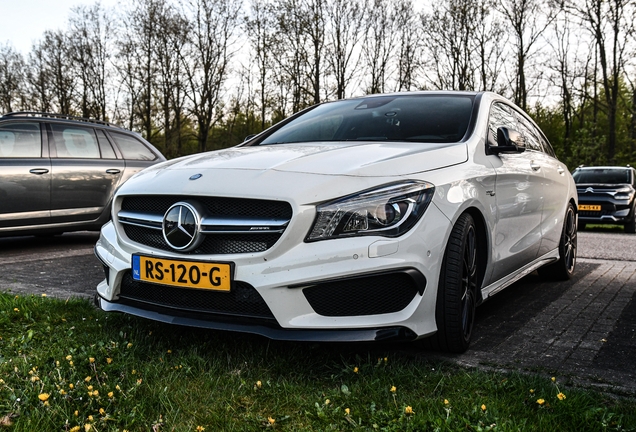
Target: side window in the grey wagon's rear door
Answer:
pixel 75 142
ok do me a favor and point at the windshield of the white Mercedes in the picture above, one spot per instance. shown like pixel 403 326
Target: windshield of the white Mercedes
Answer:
pixel 412 118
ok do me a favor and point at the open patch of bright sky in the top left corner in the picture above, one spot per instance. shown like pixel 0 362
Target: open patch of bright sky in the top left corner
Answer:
pixel 23 22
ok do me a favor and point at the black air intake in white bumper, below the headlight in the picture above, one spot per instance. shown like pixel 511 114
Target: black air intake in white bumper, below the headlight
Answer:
pixel 366 295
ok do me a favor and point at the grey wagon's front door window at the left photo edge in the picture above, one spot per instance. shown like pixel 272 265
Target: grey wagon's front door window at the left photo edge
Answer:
pixel 20 140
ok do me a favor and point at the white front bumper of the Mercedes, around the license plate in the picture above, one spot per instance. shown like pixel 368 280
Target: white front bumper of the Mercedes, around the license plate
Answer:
pixel 283 277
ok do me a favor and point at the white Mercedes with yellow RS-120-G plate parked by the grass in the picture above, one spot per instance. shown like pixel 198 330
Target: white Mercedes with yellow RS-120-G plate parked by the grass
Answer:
pixel 386 217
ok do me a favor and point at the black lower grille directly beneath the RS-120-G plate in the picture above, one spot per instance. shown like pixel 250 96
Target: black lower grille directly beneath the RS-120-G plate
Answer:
pixel 242 301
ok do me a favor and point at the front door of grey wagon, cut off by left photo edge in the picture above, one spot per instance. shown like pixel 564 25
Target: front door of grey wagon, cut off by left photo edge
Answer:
pixel 25 175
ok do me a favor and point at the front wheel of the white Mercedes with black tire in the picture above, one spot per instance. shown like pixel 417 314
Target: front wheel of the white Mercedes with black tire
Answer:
pixel 457 290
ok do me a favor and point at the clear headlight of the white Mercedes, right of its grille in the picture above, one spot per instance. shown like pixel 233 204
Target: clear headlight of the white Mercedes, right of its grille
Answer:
pixel 389 211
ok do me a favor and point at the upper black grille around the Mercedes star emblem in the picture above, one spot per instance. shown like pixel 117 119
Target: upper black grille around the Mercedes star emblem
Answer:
pixel 217 243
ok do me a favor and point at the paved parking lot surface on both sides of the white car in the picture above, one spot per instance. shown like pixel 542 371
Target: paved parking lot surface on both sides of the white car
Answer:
pixel 583 330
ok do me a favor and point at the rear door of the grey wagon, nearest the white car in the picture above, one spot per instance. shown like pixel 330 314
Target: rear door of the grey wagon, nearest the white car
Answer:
pixel 85 173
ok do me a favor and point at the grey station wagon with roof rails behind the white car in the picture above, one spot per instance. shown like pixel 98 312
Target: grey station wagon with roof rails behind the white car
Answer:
pixel 58 173
